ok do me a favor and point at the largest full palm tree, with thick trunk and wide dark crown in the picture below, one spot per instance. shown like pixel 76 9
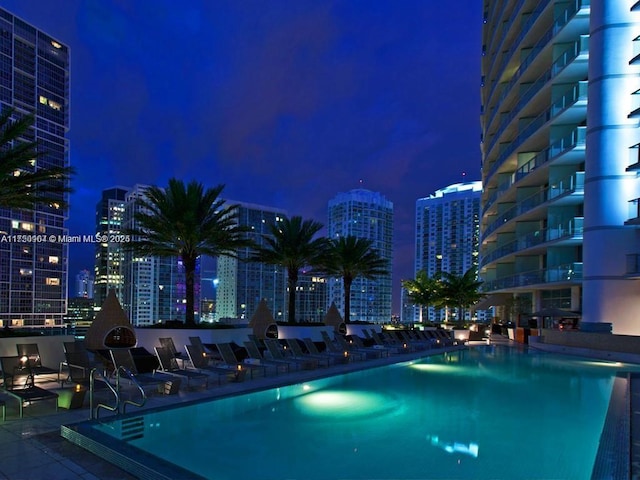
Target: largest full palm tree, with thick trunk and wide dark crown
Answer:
pixel 186 221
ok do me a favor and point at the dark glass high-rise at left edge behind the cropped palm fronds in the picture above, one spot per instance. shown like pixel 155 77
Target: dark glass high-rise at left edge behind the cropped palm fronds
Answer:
pixel 34 79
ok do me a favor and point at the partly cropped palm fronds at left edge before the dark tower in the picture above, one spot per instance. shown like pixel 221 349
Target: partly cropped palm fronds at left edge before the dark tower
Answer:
pixel 24 184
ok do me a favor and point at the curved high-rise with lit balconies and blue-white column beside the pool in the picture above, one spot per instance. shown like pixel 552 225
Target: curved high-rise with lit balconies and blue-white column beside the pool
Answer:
pixel 560 138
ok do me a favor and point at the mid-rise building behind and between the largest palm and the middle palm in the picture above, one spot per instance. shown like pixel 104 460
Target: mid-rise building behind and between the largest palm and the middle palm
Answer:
pixel 241 284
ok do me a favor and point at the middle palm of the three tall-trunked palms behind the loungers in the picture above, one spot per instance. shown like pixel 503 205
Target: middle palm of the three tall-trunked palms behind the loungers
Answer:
pixel 292 245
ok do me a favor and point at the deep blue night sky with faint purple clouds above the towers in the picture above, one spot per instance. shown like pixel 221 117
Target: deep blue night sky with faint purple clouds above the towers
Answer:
pixel 286 102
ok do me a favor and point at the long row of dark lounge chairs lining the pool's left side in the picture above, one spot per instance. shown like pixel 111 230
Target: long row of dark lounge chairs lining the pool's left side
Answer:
pixel 200 365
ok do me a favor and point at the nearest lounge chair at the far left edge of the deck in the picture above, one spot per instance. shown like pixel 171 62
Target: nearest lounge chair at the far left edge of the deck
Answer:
pixel 18 383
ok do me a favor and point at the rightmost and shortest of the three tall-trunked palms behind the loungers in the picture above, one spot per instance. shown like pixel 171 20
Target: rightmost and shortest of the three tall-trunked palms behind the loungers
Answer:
pixel 350 258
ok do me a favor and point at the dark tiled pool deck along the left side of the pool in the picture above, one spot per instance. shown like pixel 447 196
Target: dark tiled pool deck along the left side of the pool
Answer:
pixel 32 448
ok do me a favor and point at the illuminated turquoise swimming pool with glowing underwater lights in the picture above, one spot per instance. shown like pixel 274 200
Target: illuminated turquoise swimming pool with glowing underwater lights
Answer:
pixel 484 413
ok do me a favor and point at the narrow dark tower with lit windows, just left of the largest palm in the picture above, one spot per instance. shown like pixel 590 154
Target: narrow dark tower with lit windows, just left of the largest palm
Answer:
pixel 109 255
